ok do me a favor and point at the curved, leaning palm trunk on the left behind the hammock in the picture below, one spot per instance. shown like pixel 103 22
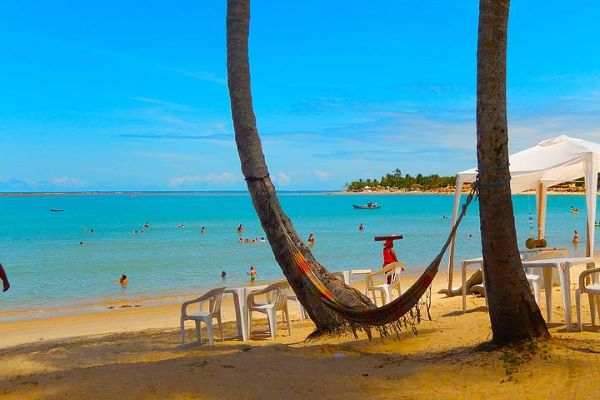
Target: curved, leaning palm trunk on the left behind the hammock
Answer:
pixel 280 232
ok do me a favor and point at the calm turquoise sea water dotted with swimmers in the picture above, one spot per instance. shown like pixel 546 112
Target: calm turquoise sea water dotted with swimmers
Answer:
pixel 49 268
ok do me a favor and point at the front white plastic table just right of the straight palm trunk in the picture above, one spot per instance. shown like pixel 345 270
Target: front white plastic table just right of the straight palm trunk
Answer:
pixel 562 265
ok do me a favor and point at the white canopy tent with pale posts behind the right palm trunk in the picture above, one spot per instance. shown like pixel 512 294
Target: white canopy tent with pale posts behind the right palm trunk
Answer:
pixel 550 162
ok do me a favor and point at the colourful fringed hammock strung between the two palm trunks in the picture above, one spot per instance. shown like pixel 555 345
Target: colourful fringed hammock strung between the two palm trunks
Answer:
pixel 393 311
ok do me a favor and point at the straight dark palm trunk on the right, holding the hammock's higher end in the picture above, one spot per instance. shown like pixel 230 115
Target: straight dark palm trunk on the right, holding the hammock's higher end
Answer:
pixel 514 314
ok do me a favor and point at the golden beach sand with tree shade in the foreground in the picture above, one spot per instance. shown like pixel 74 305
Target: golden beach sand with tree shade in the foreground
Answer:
pixel 79 359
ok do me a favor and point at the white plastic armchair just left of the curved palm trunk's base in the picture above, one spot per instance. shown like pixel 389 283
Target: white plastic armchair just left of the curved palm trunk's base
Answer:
pixel 276 300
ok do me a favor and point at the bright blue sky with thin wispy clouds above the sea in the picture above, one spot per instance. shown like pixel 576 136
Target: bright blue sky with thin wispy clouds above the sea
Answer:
pixel 117 95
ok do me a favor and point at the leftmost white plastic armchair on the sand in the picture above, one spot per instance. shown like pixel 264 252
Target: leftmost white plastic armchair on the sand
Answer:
pixel 213 298
